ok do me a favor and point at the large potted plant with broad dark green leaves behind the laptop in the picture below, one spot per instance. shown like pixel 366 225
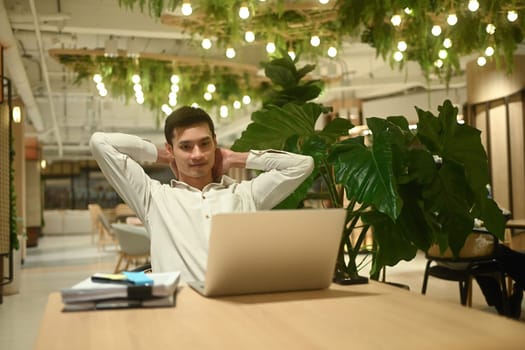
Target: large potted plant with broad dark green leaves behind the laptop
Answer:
pixel 410 188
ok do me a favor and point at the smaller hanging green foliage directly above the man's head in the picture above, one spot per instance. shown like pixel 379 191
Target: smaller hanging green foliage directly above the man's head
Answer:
pixel 117 73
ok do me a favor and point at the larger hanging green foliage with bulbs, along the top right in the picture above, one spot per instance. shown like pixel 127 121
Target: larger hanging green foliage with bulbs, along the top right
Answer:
pixel 369 21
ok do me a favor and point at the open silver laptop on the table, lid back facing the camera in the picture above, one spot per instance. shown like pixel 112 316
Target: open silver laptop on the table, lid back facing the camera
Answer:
pixel 271 251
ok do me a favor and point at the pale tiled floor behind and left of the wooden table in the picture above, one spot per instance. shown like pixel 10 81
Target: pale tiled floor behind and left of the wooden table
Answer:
pixel 61 261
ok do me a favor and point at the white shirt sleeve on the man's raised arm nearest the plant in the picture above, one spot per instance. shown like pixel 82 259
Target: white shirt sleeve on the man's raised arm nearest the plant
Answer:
pixel 283 173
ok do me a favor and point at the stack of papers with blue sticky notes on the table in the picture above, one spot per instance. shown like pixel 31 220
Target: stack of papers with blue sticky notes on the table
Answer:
pixel 95 293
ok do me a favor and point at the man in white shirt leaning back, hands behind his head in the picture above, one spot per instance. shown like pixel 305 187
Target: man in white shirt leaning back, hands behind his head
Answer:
pixel 177 216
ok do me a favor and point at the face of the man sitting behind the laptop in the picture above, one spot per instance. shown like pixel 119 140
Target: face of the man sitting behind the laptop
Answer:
pixel 194 152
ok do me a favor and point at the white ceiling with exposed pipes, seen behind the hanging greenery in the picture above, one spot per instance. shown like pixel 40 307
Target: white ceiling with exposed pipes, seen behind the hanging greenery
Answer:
pixel 63 115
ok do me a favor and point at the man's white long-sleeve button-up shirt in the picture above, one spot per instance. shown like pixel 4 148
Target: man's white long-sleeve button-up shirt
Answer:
pixel 177 216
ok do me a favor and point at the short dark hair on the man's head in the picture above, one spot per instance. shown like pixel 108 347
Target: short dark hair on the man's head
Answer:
pixel 186 116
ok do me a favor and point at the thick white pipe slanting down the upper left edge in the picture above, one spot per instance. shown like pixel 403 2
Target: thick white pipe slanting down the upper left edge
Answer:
pixel 17 73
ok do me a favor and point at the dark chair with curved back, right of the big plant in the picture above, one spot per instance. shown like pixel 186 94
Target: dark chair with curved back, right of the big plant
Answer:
pixel 476 258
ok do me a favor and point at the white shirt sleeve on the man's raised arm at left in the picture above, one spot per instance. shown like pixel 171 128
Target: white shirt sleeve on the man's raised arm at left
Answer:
pixel 118 156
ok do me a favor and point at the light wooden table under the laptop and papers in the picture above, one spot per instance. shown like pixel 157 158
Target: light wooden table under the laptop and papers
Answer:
pixel 371 316
